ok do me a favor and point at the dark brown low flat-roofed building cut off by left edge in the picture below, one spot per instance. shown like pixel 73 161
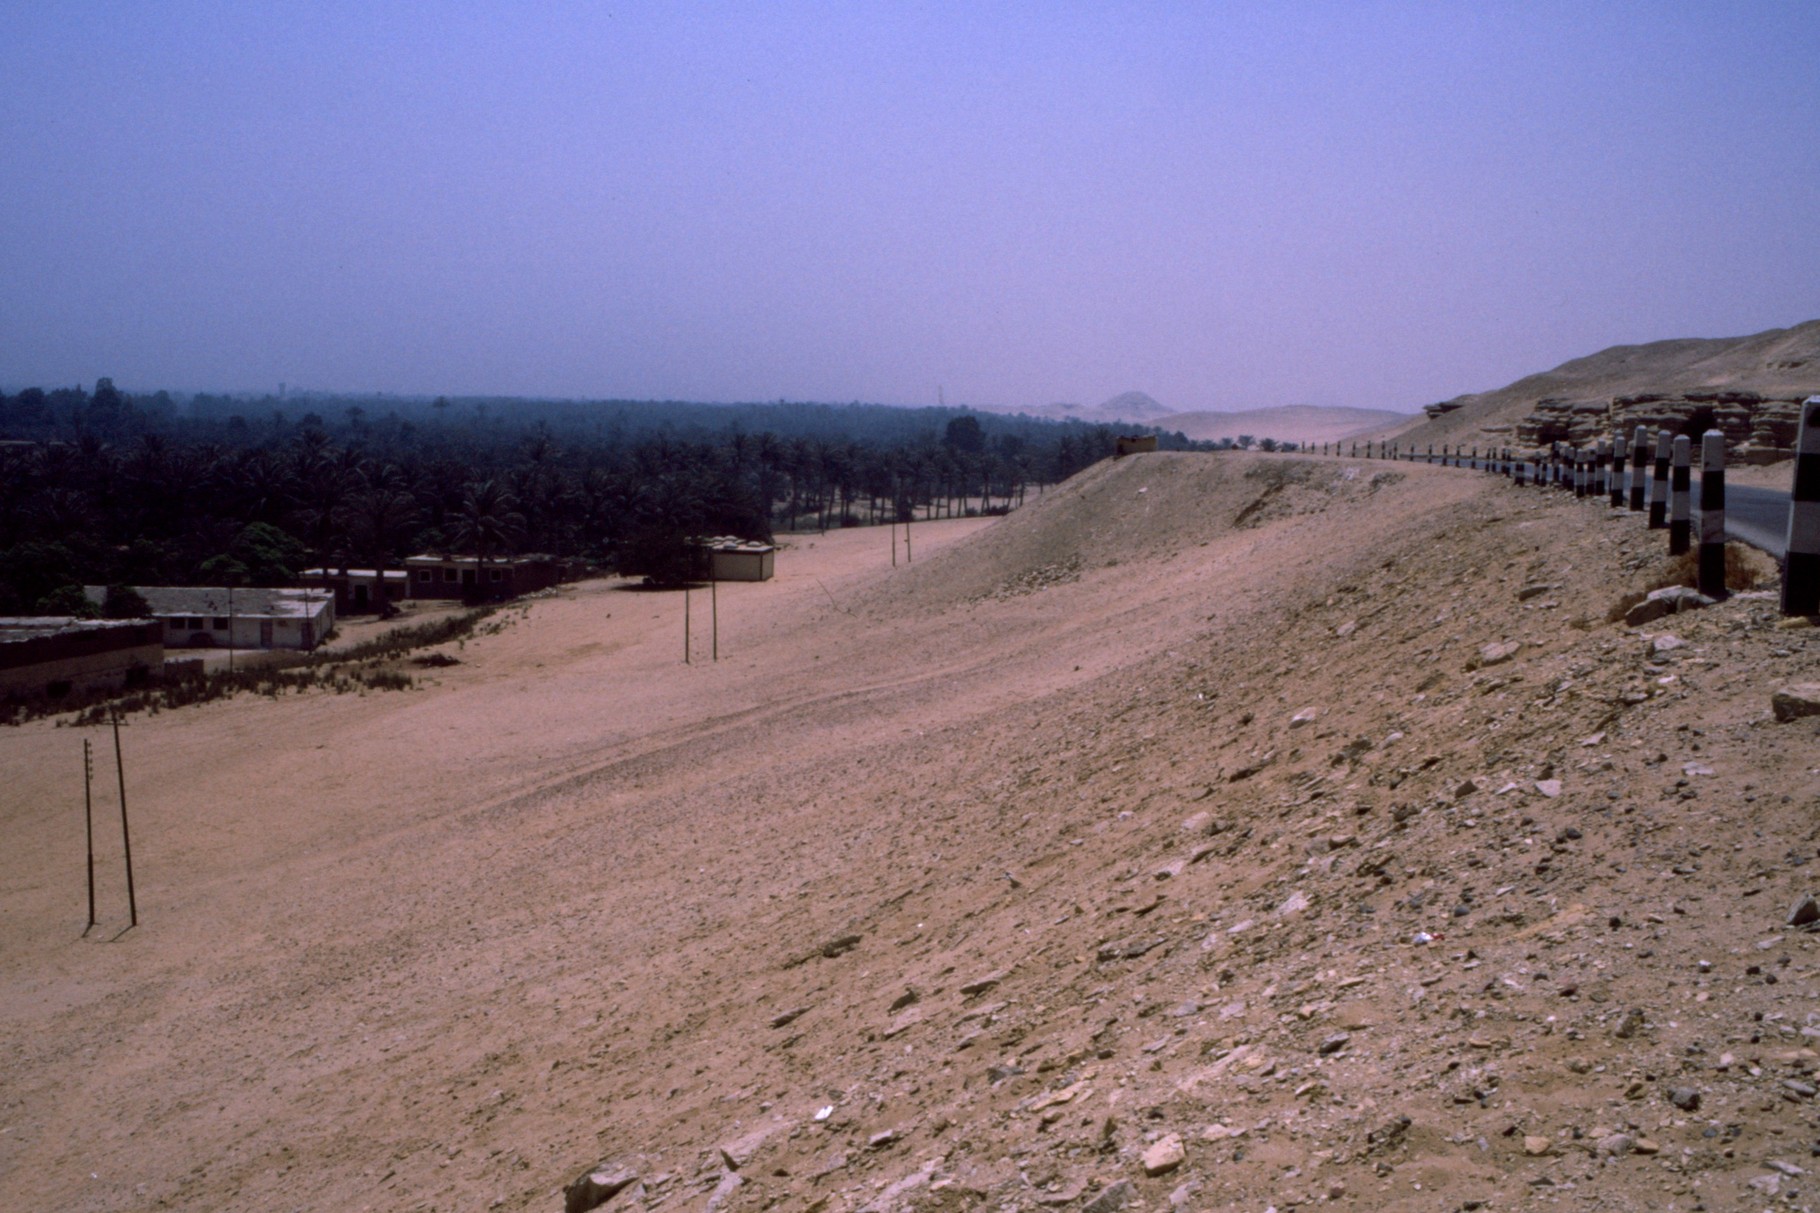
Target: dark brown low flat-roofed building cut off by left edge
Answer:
pixel 57 655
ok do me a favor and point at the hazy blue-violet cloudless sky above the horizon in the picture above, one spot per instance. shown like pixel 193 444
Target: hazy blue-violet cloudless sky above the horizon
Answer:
pixel 1222 205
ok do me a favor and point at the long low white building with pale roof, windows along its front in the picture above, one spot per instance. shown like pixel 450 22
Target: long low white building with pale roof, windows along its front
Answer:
pixel 238 618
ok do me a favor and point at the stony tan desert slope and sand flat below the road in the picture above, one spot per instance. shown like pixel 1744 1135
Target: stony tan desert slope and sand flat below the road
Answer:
pixel 1213 833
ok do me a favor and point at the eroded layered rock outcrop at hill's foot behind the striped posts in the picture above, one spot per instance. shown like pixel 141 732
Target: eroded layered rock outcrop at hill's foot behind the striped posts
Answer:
pixel 1757 429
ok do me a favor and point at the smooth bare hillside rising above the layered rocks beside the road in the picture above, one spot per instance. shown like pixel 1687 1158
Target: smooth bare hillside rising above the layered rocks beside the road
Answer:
pixel 1783 363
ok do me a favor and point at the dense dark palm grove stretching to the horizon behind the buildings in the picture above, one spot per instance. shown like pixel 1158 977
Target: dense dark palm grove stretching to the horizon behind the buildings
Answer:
pixel 108 489
